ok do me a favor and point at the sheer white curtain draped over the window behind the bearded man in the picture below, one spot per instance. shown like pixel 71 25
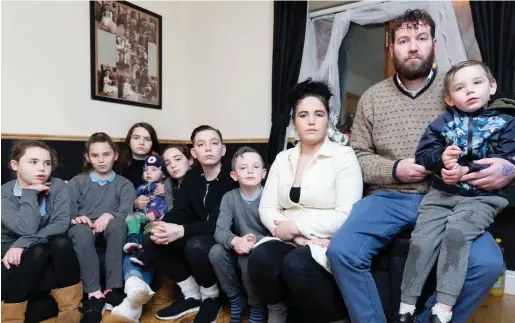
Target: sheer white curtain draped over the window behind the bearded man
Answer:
pixel 320 57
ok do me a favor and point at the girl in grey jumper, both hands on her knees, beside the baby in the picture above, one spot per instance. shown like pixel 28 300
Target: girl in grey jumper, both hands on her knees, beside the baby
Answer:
pixel 100 201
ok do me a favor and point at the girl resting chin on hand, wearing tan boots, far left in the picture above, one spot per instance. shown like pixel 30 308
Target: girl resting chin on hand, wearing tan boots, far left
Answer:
pixel 37 256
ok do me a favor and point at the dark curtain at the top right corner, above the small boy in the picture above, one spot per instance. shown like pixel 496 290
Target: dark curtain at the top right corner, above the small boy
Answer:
pixel 494 26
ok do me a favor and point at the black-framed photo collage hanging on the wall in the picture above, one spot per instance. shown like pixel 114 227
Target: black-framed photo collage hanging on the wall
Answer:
pixel 126 54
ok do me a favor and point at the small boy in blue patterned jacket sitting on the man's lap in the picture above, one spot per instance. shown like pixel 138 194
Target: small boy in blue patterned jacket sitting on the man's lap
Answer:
pixel 455 213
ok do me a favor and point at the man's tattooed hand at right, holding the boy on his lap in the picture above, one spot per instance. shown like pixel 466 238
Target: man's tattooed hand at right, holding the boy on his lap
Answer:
pixel 499 174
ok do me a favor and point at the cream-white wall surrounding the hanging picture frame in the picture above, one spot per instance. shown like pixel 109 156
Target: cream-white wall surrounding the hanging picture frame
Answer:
pixel 217 58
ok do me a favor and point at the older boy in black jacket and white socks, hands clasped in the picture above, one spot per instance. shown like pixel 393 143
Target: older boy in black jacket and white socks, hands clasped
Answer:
pixel 179 244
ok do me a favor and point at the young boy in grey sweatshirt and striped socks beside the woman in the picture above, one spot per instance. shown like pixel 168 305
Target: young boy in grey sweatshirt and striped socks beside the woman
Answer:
pixel 238 228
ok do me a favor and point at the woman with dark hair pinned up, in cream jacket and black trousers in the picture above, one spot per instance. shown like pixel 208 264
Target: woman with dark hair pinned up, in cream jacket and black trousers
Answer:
pixel 308 195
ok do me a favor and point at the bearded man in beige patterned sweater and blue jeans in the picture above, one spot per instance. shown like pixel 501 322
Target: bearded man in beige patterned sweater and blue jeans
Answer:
pixel 391 117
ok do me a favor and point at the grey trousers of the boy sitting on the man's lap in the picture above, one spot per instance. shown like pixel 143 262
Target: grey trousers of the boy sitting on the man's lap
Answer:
pixel 446 226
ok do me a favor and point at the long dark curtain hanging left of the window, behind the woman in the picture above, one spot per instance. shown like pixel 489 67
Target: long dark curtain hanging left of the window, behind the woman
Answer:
pixel 289 31
